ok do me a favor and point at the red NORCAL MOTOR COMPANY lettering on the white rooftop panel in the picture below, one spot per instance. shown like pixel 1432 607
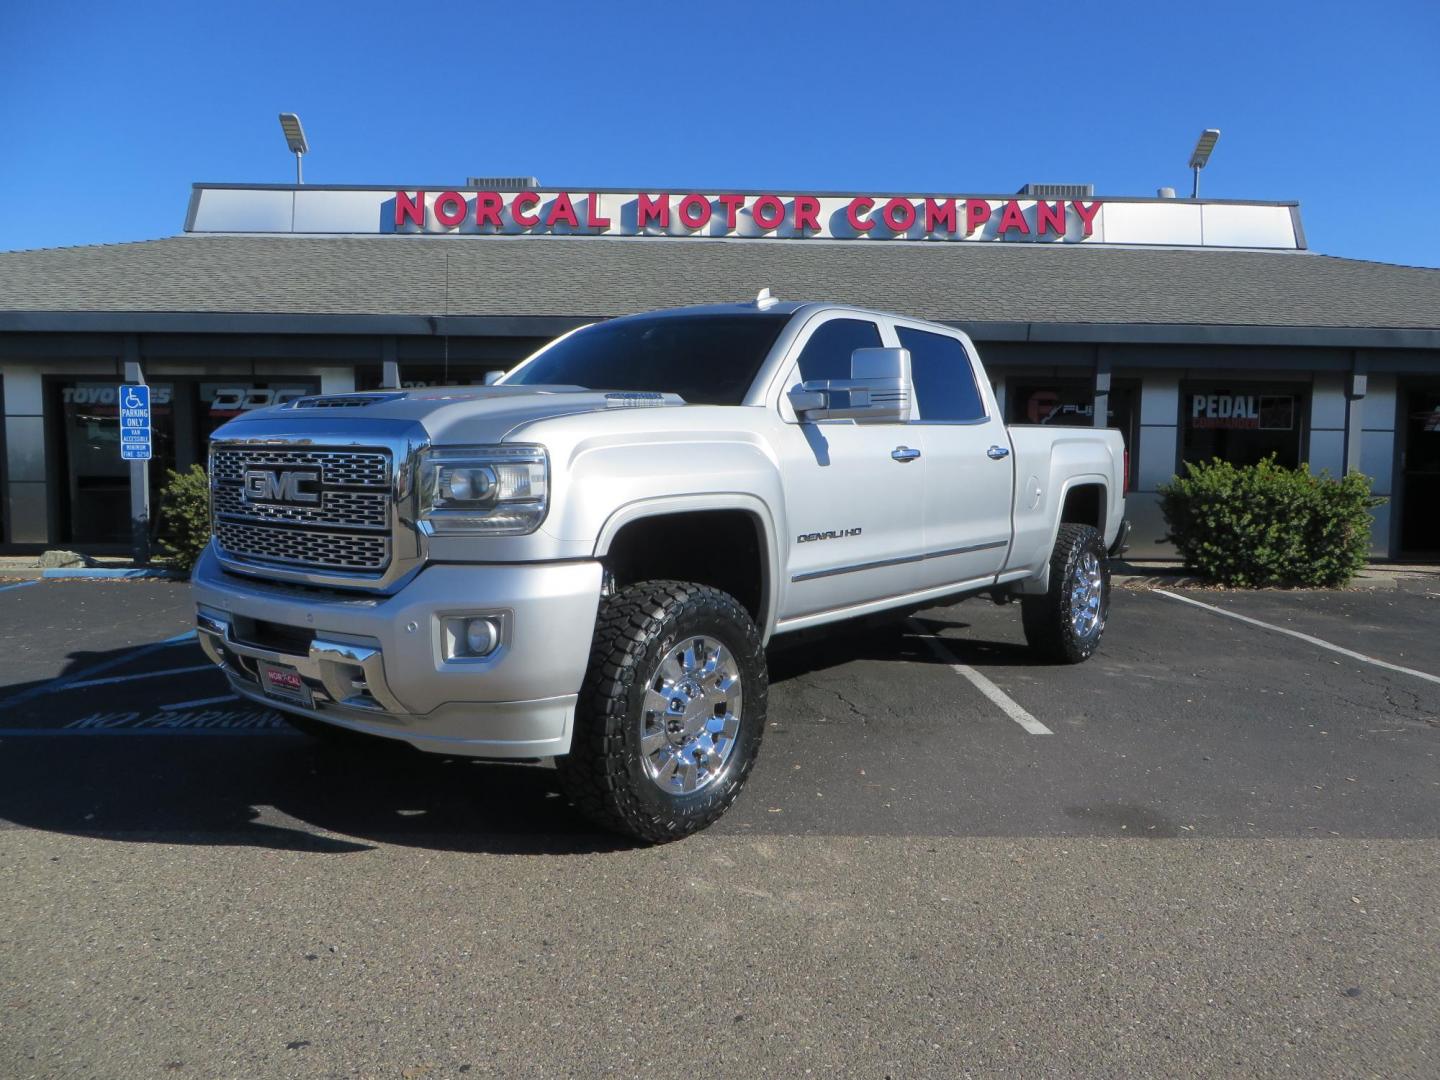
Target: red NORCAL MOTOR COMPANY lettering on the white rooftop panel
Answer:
pixel 695 214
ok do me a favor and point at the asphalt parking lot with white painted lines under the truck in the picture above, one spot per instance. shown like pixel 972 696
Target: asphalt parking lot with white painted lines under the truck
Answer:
pixel 1210 850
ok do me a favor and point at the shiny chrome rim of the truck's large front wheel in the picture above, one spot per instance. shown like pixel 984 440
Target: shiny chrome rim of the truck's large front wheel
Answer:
pixel 692 716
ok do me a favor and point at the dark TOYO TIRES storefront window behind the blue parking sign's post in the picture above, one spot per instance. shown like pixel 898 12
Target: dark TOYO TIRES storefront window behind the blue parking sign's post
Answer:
pixel 96 496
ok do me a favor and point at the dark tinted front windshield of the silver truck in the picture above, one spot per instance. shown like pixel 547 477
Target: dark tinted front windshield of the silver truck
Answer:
pixel 705 359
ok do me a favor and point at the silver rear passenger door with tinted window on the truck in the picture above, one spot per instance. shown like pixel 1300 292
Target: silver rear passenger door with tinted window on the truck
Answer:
pixel 970 467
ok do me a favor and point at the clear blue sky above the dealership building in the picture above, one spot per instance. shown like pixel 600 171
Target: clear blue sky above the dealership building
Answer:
pixel 110 112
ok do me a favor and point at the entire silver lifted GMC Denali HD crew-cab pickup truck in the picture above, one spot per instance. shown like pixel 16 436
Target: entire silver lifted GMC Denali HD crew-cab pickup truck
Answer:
pixel 585 561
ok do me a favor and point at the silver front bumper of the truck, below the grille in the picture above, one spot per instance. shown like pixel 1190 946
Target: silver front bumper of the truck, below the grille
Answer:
pixel 377 665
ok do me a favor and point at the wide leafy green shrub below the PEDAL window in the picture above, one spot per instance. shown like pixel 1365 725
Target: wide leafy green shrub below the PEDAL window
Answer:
pixel 1268 525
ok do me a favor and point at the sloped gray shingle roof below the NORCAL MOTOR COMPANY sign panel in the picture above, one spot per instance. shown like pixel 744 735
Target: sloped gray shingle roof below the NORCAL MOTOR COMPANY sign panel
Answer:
pixel 415 276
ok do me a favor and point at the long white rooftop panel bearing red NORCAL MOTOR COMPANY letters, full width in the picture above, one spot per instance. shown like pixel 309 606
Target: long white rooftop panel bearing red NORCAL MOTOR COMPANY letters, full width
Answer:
pixel 316 211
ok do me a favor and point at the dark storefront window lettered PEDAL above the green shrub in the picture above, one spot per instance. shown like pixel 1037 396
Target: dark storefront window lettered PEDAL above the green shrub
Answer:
pixel 1242 424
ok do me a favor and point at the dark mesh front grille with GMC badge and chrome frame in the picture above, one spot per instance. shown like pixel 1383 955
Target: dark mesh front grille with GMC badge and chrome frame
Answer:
pixel 305 509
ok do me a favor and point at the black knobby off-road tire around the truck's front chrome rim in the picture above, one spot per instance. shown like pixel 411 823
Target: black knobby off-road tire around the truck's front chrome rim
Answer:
pixel 604 774
